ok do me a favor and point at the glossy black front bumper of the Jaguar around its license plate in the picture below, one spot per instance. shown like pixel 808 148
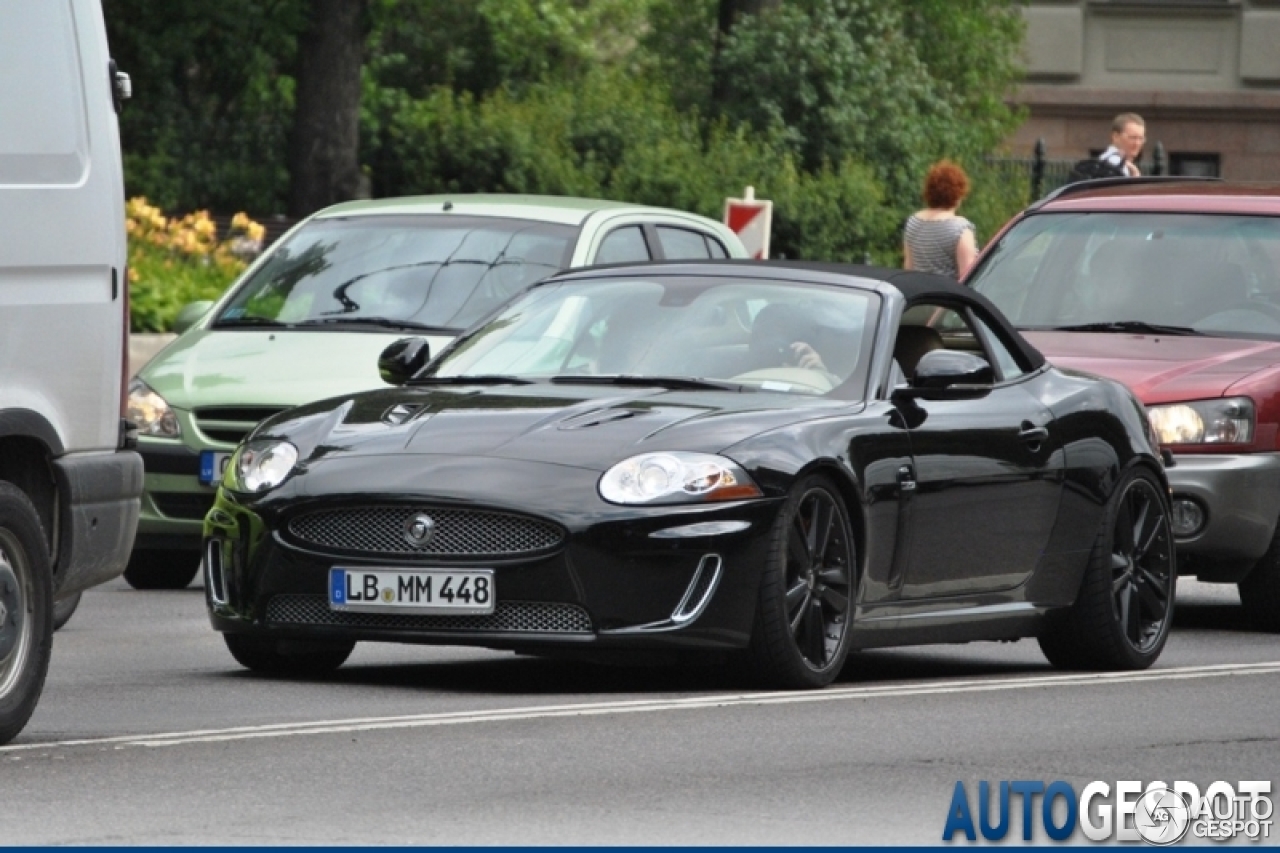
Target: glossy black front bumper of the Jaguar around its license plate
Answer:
pixel 610 583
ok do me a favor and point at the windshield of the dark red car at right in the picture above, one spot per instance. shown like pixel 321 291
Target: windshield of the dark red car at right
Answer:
pixel 1135 272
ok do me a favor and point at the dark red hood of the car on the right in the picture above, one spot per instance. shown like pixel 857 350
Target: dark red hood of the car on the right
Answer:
pixel 1160 368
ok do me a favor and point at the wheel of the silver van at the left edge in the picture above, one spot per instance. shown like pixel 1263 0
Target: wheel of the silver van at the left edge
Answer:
pixel 26 592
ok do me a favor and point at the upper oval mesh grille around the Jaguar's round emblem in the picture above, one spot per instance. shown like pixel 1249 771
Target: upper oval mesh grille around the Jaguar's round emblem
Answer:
pixel 381 530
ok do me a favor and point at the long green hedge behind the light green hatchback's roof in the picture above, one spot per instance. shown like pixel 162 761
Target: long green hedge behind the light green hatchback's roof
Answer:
pixel 615 138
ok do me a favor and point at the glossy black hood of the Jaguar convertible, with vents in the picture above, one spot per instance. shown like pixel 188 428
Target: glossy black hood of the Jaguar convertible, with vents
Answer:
pixel 577 426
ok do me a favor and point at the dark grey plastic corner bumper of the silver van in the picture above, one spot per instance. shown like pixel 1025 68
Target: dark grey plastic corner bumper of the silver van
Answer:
pixel 99 518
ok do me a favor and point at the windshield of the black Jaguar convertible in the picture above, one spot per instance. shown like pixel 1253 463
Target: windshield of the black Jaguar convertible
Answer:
pixel 725 332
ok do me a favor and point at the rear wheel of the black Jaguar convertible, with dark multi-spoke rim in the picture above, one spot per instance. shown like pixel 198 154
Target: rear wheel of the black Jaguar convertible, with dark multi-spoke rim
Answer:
pixel 1122 617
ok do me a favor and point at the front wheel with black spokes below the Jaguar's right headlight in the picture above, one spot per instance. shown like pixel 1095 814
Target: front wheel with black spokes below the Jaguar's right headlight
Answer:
pixel 803 622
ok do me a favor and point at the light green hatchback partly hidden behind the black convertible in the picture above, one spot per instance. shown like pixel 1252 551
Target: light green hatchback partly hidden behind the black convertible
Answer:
pixel 312 316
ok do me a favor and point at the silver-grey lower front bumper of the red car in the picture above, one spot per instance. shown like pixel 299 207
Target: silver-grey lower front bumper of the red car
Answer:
pixel 1241 498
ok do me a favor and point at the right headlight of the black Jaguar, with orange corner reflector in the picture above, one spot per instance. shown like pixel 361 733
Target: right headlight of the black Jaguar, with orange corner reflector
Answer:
pixel 676 477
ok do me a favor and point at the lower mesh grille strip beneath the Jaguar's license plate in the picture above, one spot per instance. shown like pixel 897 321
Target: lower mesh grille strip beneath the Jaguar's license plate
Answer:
pixel 510 617
